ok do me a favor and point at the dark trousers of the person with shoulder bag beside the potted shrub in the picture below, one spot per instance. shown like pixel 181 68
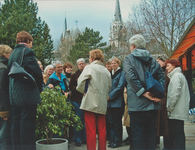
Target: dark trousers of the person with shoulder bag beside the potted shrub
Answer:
pixel 23 127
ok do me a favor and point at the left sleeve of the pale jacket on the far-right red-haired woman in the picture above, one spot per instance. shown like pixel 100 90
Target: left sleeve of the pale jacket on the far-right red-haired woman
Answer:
pixel 174 93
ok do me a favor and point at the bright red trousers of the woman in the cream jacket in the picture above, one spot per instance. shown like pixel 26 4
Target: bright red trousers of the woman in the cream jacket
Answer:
pixel 91 119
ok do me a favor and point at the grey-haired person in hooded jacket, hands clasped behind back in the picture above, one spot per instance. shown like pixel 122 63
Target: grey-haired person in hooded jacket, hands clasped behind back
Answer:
pixel 142 106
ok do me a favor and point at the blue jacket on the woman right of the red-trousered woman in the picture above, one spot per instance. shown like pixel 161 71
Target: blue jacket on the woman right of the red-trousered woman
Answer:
pixel 116 92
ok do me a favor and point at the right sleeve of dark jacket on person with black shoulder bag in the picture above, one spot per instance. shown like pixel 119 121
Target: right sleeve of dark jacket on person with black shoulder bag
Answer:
pixel 33 67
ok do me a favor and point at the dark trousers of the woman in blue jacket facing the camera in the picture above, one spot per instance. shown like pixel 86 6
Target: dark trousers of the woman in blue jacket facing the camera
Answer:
pixel 115 121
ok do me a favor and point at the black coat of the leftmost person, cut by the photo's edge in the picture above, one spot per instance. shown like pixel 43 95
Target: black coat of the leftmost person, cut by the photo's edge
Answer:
pixel 4 85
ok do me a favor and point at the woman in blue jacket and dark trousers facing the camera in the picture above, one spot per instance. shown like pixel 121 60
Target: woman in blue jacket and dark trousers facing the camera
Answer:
pixel 116 103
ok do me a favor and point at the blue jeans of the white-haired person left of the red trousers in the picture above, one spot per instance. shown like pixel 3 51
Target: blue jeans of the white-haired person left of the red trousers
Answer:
pixel 79 136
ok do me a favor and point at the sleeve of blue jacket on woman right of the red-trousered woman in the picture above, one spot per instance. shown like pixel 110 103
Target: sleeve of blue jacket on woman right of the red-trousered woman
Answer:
pixel 122 81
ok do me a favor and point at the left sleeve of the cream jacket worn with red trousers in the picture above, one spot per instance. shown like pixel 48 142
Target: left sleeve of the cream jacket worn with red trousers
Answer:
pixel 86 74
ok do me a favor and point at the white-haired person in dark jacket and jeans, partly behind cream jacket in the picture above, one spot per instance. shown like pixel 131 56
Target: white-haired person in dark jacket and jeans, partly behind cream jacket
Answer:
pixel 76 97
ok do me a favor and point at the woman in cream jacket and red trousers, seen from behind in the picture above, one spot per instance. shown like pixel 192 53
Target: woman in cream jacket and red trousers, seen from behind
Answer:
pixel 95 82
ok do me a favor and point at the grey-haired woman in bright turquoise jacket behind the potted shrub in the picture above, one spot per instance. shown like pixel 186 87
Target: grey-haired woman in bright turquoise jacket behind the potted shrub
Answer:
pixel 57 78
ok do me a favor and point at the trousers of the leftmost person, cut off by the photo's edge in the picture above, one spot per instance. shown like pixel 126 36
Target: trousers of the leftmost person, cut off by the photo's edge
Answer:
pixel 5 134
